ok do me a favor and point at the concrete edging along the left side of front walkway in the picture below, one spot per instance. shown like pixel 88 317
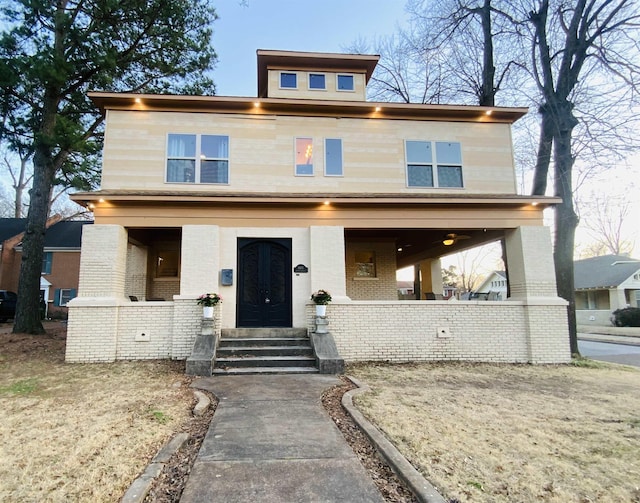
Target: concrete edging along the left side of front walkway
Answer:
pixel 141 486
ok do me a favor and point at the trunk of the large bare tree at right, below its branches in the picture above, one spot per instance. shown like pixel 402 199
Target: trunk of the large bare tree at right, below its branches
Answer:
pixel 566 220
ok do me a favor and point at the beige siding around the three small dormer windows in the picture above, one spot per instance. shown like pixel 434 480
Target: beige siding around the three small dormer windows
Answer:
pixel 330 93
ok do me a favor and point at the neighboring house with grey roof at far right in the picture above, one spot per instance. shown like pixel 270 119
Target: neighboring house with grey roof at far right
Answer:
pixel 604 284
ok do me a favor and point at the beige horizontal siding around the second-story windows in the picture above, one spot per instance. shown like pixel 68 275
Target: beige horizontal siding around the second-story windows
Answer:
pixel 262 152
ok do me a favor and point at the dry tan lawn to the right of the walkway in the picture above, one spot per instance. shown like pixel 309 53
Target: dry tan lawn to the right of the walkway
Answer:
pixel 503 433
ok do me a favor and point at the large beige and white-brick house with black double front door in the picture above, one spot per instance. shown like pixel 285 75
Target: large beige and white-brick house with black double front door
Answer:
pixel 307 186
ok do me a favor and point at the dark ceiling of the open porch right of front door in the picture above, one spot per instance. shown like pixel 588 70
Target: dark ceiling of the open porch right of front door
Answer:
pixel 414 245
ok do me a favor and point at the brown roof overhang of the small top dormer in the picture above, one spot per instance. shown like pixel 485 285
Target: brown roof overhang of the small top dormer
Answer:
pixel 319 61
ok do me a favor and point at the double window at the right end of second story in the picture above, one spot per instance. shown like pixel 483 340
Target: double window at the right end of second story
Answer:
pixel 424 169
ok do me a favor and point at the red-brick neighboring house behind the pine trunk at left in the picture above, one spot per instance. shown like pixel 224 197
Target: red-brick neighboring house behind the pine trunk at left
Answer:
pixel 60 264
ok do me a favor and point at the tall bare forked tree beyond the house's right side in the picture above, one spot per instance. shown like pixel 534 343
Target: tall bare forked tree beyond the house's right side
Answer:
pixel 571 42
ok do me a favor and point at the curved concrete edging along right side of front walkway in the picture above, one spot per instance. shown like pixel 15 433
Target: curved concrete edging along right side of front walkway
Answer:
pixel 419 486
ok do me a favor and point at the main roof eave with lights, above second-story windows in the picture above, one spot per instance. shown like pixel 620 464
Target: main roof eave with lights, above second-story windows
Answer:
pixel 304 107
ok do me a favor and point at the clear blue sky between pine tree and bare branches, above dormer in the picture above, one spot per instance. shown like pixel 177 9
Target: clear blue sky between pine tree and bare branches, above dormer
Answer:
pixel 292 25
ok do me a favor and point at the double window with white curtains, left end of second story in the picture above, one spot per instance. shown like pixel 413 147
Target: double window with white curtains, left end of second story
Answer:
pixel 195 158
